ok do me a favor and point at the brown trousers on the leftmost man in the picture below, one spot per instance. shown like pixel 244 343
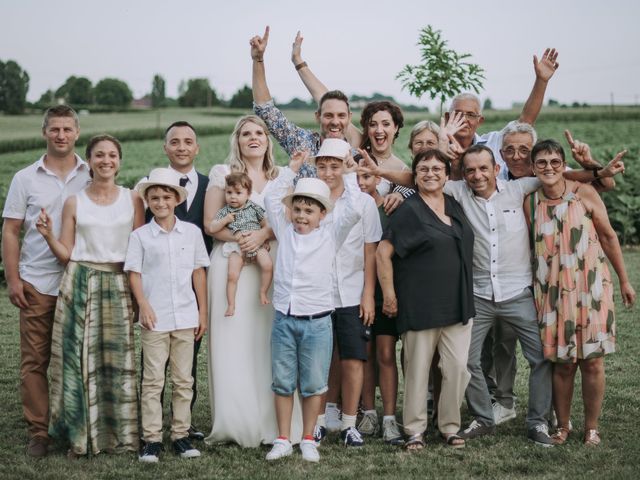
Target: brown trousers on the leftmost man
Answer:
pixel 36 327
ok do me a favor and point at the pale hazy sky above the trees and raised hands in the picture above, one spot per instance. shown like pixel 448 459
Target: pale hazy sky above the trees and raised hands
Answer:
pixel 355 46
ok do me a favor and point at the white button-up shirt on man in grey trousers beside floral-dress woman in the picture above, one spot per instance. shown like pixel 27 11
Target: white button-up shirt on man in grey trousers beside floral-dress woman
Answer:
pixel 501 252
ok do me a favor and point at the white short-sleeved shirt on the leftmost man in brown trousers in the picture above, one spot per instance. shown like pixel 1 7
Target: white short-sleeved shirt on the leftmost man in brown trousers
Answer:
pixel 33 188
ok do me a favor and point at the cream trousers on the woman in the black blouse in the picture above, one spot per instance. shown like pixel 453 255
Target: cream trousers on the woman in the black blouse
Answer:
pixel 452 343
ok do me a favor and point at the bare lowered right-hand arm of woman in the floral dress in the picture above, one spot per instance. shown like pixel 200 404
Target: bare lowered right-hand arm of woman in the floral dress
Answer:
pixel 608 240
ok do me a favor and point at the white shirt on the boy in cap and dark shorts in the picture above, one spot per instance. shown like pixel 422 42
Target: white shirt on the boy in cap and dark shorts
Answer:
pixel 348 275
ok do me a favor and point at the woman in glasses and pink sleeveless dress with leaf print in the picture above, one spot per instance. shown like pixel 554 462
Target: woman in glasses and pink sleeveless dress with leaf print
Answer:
pixel 572 285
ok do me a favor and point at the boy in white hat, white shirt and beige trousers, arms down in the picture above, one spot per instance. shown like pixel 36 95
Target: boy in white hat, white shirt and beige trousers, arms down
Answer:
pixel 166 260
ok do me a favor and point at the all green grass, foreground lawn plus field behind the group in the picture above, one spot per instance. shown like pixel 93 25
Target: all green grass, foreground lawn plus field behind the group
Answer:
pixel 506 455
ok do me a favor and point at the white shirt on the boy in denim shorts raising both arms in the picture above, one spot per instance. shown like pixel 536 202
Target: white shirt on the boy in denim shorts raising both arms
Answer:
pixel 303 278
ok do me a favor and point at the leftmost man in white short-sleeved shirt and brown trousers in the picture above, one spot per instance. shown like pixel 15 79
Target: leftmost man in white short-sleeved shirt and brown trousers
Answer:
pixel 32 272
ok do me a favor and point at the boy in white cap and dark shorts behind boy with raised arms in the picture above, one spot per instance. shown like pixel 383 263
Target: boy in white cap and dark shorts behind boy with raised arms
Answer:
pixel 354 282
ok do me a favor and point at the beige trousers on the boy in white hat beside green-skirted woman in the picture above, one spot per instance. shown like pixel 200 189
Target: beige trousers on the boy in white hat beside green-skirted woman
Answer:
pixel 157 347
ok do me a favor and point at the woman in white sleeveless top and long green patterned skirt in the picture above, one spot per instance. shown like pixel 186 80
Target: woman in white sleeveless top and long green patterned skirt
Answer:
pixel 93 375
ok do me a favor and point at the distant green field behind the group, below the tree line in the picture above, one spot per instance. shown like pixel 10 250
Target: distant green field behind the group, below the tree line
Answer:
pixel 606 136
